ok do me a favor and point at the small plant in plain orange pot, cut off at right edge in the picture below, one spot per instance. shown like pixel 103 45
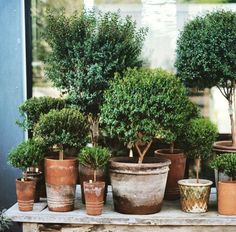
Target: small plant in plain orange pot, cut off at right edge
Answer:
pixel 226 189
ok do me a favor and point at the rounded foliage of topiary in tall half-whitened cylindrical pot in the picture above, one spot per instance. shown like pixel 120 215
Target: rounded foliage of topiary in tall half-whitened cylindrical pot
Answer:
pixel 66 127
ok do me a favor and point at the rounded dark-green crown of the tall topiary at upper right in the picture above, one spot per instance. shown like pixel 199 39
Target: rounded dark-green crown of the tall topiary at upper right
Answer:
pixel 206 51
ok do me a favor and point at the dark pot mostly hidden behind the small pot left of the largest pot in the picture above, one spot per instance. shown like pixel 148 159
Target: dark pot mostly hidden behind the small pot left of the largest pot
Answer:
pixel 86 174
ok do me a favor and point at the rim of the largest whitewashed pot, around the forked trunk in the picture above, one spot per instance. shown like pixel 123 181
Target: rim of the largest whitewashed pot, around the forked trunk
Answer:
pixel 124 162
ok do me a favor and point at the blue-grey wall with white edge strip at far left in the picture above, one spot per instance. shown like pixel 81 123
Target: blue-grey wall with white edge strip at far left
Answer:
pixel 12 90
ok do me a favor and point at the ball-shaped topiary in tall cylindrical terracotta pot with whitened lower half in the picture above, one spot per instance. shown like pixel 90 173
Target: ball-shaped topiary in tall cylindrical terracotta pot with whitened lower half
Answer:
pixel 62 128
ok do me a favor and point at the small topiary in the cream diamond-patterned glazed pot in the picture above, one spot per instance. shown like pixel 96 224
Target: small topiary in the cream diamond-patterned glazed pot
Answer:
pixel 194 193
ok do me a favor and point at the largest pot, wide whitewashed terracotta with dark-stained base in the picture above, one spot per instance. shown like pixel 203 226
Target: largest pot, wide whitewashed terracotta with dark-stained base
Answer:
pixel 138 188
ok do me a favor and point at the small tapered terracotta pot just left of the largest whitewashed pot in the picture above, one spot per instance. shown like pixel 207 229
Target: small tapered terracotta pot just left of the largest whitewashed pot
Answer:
pixel 94 195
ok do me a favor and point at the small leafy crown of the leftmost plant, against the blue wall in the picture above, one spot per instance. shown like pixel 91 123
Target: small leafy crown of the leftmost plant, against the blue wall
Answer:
pixel 27 154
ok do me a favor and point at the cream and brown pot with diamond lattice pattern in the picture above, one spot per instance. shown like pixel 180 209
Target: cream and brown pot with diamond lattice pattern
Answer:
pixel 194 197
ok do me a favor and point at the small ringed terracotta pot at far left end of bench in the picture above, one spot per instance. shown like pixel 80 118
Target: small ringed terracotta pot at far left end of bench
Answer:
pixel 25 192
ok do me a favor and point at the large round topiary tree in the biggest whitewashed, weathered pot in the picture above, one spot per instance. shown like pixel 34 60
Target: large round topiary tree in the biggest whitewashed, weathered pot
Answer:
pixel 137 109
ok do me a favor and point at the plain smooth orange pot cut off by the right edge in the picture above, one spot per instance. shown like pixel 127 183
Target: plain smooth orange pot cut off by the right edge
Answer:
pixel 226 197
